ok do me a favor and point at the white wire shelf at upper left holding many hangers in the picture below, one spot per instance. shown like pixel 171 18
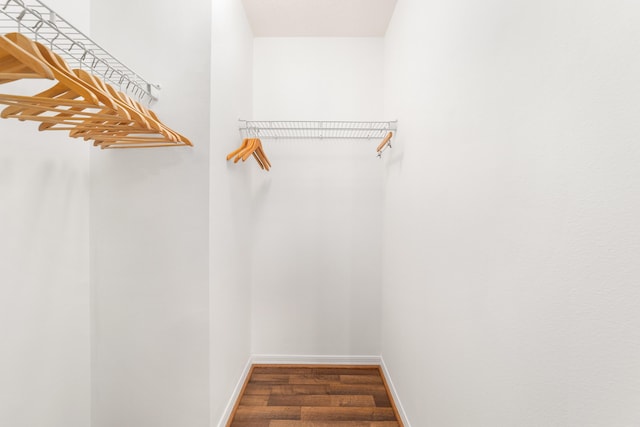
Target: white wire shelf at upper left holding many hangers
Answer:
pixel 43 24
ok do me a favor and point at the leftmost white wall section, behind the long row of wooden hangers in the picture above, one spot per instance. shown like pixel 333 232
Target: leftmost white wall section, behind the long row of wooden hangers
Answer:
pixel 44 268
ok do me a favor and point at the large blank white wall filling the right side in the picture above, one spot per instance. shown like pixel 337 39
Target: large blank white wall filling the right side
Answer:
pixel 512 199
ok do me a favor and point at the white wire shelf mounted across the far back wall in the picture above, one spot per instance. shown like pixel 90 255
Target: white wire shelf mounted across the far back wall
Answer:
pixel 316 129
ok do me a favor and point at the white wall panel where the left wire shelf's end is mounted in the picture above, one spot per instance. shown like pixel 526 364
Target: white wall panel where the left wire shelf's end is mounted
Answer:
pixel 150 228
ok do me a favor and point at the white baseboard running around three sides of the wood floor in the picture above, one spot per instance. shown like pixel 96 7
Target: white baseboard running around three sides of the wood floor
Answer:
pixel 279 359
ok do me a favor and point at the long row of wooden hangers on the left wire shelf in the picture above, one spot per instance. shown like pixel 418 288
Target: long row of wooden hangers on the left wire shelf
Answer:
pixel 79 102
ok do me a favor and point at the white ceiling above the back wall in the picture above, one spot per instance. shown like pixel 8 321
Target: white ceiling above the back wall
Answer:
pixel 319 18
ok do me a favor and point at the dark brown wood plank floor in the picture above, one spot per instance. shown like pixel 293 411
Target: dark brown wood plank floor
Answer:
pixel 314 396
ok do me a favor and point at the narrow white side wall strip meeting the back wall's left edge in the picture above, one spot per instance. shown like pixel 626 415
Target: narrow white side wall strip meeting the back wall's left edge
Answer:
pixel 230 196
